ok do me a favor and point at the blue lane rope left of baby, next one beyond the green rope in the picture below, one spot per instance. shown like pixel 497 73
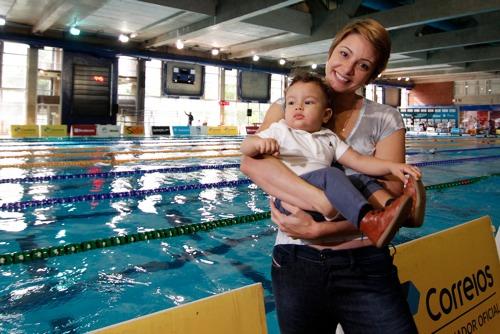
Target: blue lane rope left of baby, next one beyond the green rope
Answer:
pixel 18 206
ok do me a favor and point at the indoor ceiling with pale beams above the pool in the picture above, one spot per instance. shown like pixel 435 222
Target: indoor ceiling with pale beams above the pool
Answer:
pixel 431 40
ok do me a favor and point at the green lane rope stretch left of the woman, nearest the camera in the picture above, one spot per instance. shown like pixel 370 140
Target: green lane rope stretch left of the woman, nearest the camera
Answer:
pixel 43 253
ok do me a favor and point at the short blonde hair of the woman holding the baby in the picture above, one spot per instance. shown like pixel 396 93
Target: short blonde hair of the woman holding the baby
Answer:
pixel 375 33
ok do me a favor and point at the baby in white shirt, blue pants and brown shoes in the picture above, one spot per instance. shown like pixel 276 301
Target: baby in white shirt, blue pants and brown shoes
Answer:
pixel 308 149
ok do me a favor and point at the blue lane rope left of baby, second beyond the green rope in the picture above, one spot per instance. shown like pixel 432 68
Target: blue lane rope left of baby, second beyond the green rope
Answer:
pixel 183 169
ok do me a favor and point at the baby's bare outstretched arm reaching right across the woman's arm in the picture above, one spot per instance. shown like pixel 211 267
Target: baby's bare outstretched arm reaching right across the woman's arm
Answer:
pixel 377 167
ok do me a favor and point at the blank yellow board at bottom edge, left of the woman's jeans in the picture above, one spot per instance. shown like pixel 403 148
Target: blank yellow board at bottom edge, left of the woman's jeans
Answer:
pixel 238 311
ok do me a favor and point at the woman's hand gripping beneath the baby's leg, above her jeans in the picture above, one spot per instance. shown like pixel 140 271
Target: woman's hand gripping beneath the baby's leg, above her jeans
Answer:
pixel 298 224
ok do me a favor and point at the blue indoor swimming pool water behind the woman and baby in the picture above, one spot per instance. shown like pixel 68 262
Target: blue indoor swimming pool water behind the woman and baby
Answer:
pixel 59 198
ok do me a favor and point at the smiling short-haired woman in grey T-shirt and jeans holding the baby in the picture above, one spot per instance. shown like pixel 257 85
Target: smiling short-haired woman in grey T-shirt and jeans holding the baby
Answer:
pixel 325 274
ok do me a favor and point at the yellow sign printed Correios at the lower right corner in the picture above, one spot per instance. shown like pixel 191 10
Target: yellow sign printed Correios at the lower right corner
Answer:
pixel 453 279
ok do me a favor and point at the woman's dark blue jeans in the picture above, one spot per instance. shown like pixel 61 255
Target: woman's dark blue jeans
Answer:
pixel 358 288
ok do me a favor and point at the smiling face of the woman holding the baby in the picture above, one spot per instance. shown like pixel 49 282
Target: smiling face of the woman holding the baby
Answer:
pixel 351 64
